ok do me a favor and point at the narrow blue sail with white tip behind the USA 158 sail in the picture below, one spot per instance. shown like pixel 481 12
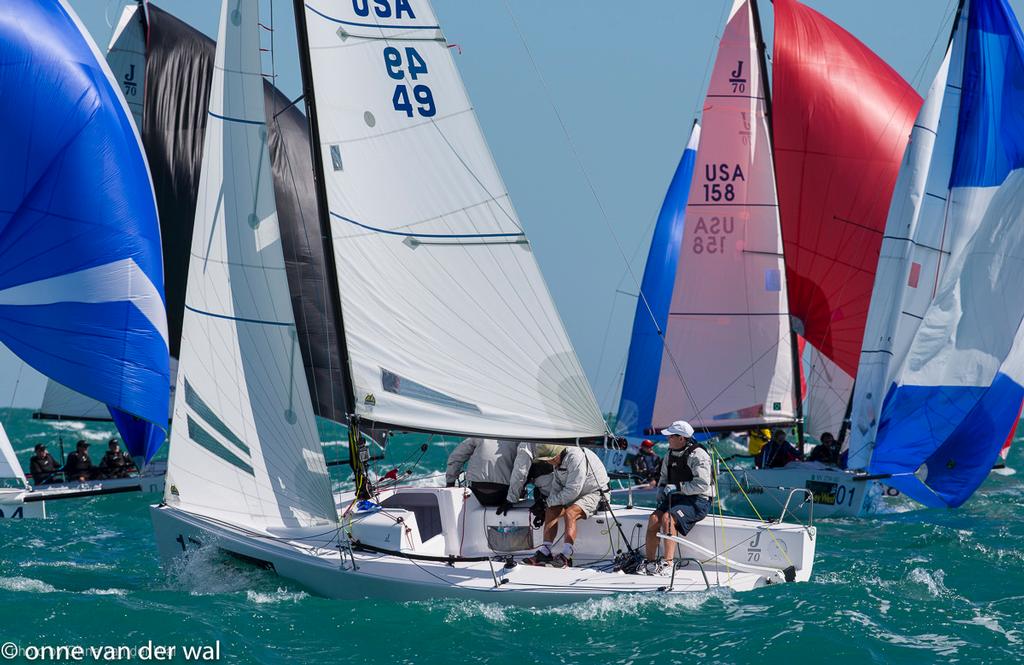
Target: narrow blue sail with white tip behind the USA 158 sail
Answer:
pixel 647 346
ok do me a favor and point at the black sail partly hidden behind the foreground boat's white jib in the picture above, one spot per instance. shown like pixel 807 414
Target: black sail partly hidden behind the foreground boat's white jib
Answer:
pixel 179 71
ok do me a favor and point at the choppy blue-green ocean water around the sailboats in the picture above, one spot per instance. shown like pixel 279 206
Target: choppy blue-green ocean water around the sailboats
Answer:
pixel 912 588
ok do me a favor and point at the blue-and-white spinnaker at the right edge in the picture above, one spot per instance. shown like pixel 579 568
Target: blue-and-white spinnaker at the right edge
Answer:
pixel 959 393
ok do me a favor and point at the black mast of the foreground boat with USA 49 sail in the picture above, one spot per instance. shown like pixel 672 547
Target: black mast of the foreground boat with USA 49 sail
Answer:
pixel 359 455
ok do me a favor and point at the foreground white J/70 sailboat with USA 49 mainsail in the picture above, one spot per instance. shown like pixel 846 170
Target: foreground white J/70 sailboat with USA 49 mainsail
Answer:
pixel 446 326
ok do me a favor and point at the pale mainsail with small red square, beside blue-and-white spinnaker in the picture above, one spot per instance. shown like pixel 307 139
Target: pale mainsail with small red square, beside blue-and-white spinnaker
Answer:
pixel 920 231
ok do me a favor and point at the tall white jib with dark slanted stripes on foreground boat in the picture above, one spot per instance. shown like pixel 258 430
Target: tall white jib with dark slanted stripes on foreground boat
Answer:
pixel 244 443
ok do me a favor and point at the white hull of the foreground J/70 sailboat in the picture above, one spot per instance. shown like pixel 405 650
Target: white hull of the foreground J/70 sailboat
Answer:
pixel 315 560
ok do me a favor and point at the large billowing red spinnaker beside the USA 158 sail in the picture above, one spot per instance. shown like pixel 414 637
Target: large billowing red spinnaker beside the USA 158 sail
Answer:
pixel 842 119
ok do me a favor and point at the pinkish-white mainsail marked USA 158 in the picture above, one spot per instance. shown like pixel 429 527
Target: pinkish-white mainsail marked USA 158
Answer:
pixel 729 331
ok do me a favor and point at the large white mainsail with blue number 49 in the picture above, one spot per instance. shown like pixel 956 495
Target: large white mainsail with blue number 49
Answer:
pixel 449 324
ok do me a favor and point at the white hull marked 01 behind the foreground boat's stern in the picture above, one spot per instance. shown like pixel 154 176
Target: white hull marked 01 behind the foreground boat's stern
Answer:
pixel 836 492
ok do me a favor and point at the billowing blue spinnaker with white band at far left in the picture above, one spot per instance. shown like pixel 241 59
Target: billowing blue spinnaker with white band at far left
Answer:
pixel 81 277
